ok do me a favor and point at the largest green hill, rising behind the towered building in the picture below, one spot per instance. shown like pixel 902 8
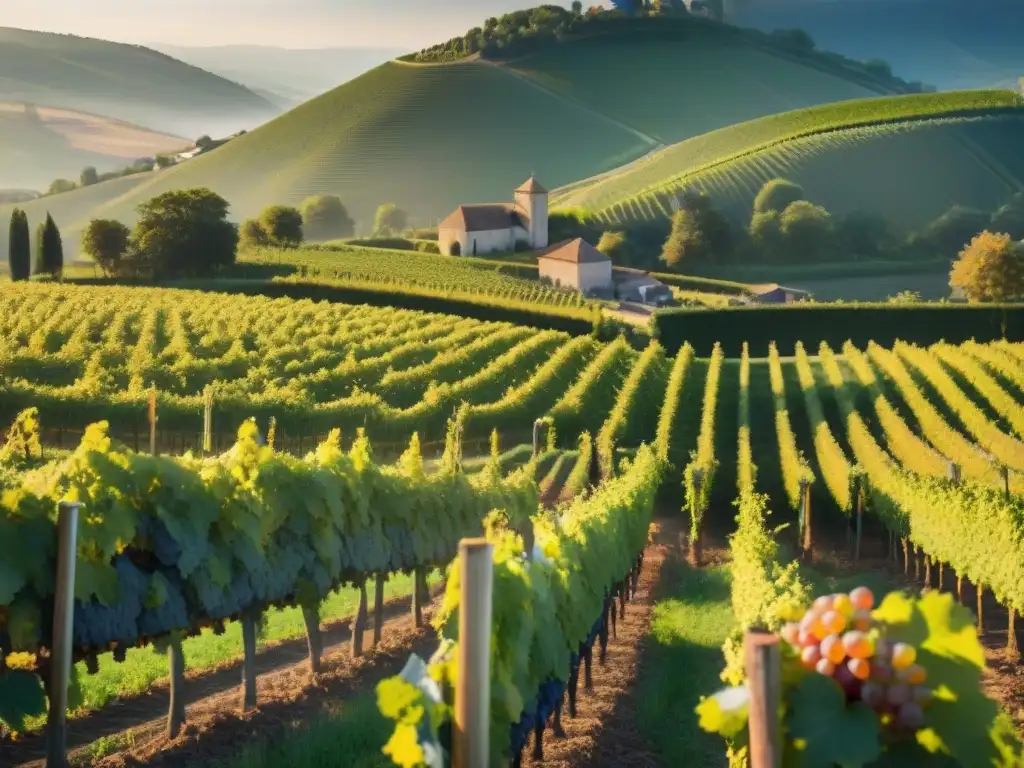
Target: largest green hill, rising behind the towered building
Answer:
pixel 432 137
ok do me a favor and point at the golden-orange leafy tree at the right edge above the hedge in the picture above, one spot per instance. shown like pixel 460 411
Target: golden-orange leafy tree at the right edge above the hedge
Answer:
pixel 991 269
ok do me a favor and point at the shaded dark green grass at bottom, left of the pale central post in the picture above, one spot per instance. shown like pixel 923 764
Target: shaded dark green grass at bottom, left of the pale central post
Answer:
pixel 351 735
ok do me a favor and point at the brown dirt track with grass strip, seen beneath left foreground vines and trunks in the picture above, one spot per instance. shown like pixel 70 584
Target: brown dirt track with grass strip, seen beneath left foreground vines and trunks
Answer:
pixel 214 696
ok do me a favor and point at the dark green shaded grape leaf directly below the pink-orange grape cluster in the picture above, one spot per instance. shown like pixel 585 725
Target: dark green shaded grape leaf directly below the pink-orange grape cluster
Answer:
pixel 828 732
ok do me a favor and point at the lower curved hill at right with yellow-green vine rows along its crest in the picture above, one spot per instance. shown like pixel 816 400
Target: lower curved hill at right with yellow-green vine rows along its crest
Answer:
pixel 908 157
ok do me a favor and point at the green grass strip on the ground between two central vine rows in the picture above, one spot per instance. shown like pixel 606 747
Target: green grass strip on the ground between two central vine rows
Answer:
pixel 693 618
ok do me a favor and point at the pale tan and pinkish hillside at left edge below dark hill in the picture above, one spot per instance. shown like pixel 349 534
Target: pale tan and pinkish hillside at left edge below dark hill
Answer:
pixel 39 145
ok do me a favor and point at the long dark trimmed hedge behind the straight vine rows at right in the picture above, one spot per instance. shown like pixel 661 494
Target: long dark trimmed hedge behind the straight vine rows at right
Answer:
pixel 813 324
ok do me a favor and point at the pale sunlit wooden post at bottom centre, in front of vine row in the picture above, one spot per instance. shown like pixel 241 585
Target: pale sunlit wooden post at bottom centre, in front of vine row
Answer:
pixel 473 696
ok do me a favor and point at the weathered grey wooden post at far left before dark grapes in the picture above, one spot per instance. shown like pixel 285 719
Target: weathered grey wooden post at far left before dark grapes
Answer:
pixel 64 618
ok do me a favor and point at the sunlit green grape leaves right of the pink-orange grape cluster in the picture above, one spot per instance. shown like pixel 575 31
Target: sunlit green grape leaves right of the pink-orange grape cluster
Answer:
pixel 962 718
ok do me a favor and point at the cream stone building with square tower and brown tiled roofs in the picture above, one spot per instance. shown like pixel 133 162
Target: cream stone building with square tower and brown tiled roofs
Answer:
pixel 498 228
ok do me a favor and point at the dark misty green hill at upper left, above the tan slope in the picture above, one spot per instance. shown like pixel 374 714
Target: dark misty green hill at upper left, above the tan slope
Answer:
pixel 125 82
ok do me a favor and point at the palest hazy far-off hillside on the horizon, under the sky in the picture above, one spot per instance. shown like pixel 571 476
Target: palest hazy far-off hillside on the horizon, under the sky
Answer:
pixel 283 75
